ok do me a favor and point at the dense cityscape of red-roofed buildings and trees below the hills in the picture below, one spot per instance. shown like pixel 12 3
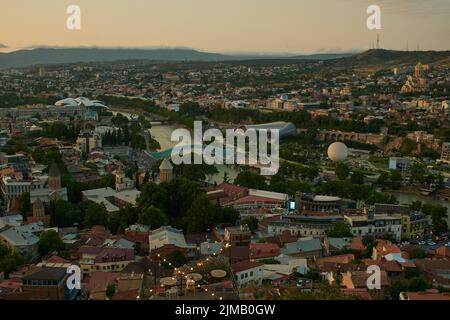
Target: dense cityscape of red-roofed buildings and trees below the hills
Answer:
pixel 364 180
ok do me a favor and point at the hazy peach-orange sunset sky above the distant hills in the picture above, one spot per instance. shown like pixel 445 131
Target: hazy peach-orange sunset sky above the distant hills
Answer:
pixel 227 25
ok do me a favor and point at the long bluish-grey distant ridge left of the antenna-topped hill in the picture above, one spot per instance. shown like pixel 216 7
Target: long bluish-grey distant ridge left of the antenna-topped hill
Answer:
pixel 23 58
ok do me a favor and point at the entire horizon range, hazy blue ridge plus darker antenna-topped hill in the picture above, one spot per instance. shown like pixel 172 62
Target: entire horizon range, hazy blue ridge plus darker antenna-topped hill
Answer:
pixel 48 56
